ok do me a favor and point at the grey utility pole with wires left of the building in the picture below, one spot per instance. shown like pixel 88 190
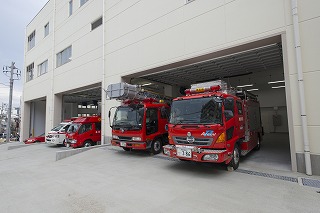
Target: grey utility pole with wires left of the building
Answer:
pixel 13 71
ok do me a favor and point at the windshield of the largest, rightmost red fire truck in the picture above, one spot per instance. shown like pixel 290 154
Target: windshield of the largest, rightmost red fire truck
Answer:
pixel 196 111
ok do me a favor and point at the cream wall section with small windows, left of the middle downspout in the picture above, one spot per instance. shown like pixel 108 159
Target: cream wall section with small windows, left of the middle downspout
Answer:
pixel 85 67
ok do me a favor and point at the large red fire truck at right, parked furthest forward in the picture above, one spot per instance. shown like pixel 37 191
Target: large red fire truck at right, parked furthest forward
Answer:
pixel 214 124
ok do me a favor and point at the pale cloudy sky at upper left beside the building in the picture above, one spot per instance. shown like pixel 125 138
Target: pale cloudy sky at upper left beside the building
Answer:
pixel 14 17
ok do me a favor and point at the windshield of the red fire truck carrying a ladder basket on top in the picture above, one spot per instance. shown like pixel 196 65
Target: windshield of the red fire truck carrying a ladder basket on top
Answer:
pixel 128 116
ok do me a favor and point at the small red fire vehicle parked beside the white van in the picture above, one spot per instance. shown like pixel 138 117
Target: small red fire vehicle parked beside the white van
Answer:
pixel 84 132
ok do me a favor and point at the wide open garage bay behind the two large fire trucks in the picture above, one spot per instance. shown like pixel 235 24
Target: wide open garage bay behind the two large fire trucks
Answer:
pixel 259 70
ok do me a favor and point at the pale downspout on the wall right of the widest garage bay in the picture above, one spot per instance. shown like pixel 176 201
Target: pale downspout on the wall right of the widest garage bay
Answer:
pixel 295 18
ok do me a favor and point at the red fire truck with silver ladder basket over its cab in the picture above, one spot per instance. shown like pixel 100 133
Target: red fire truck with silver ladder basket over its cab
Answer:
pixel 139 123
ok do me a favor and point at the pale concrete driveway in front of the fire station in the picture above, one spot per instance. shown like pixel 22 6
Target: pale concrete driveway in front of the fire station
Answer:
pixel 108 179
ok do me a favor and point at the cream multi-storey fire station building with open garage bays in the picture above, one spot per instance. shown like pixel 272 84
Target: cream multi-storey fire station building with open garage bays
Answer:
pixel 74 49
